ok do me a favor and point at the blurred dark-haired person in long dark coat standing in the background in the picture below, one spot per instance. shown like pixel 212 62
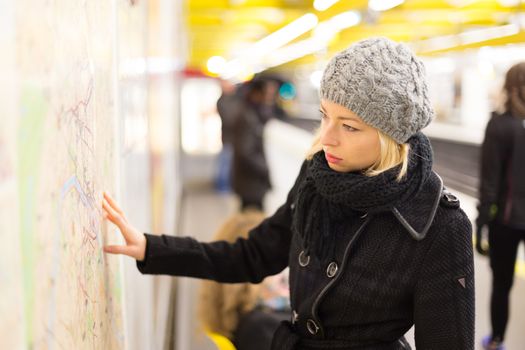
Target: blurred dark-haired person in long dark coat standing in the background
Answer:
pixel 250 173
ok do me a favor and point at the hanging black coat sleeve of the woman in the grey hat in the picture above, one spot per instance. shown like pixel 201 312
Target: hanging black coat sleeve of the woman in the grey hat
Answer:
pixel 444 296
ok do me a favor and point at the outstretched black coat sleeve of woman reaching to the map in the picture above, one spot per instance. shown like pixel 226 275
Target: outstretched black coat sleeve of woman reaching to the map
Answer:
pixel 263 253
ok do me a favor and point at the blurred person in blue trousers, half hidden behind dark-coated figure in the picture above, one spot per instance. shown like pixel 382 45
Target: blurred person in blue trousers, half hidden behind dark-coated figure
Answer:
pixel 228 106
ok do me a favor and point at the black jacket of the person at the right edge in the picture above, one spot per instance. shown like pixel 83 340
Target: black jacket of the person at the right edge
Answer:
pixel 503 172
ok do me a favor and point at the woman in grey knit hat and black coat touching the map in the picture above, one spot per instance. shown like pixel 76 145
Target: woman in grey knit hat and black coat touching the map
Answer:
pixel 374 243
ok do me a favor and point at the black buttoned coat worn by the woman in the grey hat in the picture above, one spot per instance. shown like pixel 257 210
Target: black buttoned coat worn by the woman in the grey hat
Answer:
pixel 380 283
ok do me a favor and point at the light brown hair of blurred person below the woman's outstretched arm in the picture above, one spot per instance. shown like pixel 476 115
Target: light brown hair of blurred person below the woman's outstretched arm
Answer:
pixel 222 305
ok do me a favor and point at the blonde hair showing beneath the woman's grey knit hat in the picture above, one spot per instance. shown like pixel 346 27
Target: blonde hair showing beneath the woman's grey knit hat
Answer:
pixel 391 155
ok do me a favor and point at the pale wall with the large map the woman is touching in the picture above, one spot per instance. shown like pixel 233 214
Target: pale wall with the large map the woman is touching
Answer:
pixel 76 120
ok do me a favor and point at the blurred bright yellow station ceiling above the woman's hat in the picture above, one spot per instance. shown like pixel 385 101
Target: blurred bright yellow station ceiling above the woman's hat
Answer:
pixel 226 27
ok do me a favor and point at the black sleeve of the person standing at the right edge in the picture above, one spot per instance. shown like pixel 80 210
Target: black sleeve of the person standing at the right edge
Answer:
pixel 493 158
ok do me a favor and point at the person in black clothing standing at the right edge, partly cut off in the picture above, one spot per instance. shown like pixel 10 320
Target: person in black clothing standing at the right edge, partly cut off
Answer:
pixel 502 199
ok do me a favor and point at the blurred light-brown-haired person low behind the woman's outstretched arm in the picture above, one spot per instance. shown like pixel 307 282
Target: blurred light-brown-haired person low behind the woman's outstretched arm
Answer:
pixel 246 314
